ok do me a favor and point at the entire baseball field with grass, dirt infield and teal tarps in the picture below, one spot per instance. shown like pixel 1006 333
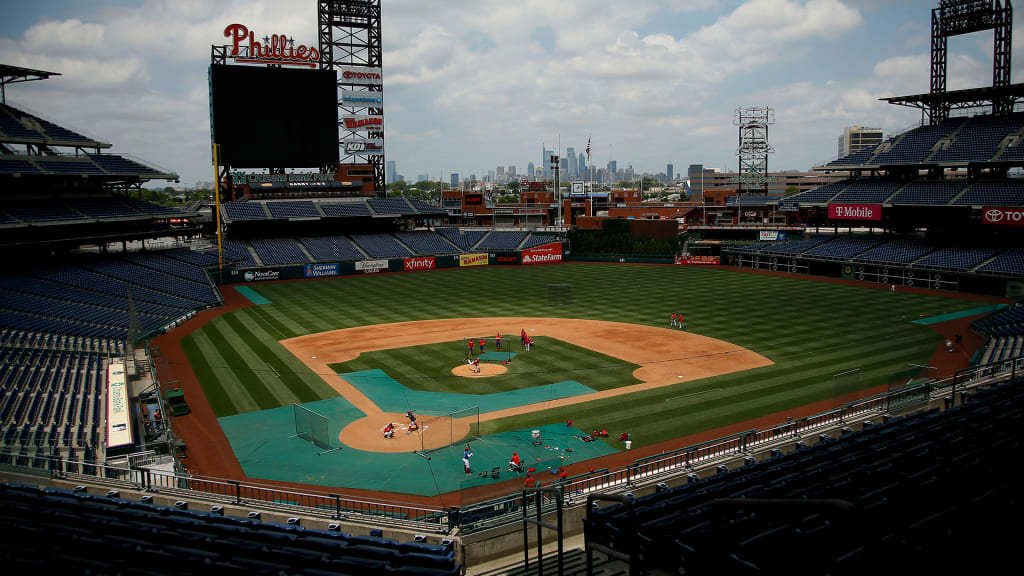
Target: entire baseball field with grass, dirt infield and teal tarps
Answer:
pixel 367 349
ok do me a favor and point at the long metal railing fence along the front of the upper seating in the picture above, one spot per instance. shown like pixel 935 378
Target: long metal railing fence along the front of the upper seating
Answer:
pixel 506 510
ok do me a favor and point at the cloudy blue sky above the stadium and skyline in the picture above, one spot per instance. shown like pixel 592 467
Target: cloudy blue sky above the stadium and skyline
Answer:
pixel 474 85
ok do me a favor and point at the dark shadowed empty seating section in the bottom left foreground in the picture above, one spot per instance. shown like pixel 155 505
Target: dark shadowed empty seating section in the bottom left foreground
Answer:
pixel 60 531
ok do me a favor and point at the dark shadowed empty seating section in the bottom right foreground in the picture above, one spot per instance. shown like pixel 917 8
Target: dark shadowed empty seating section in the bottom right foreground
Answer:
pixel 818 510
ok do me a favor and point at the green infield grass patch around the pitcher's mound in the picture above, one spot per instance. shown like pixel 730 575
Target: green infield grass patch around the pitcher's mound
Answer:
pixel 430 367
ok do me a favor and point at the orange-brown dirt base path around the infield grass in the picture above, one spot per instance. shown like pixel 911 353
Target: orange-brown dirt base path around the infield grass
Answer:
pixel 667 357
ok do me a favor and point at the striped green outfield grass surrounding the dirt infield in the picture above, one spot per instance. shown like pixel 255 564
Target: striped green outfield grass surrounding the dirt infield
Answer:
pixel 810 330
